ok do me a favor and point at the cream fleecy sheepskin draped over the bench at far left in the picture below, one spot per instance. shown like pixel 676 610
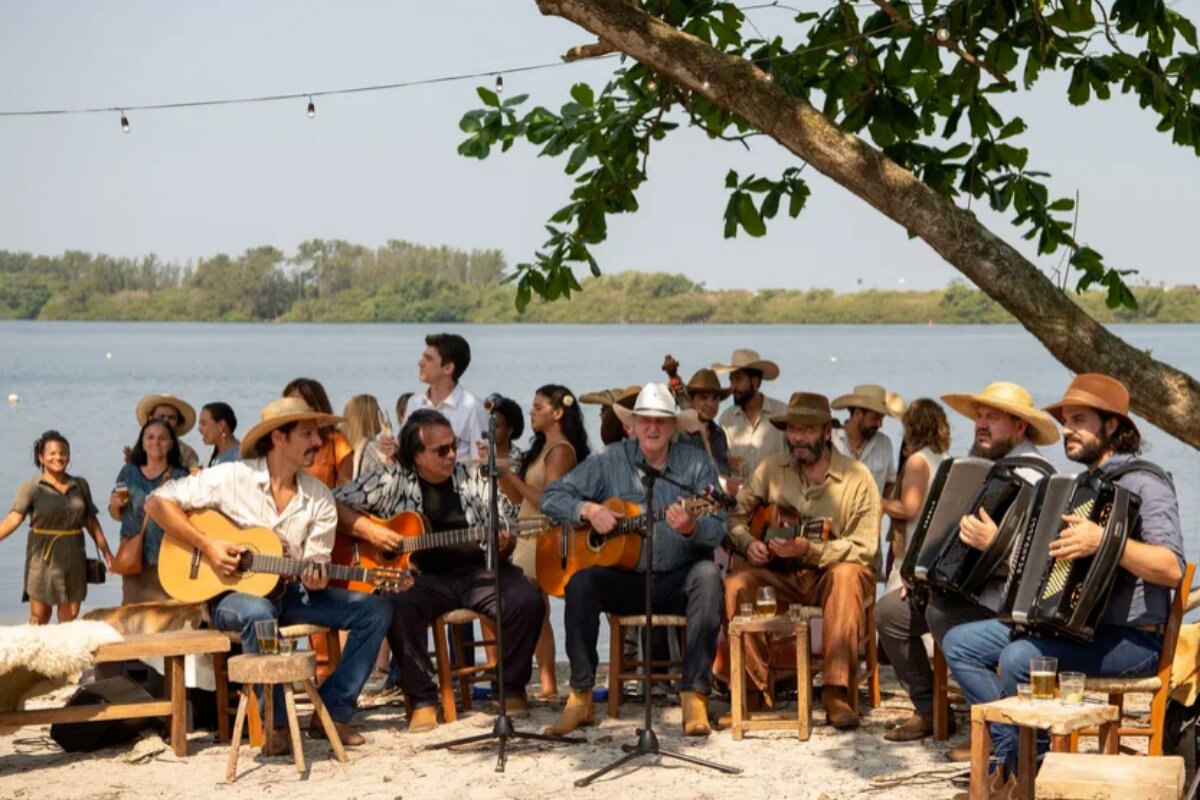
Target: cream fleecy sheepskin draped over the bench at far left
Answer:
pixel 39 659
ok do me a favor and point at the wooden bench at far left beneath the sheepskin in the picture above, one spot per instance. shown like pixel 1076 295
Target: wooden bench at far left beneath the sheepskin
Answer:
pixel 170 647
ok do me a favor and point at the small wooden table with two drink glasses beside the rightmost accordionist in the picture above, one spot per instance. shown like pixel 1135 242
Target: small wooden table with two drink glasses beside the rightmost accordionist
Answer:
pixel 1059 719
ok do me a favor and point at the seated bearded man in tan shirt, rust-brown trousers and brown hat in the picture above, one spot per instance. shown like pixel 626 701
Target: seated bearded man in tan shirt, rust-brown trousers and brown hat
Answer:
pixel 815 482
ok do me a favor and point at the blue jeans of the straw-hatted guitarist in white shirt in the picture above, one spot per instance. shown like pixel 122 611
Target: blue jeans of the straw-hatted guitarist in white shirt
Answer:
pixel 367 618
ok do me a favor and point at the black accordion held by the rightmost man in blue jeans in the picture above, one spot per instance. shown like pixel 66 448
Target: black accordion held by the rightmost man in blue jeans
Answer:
pixel 1069 598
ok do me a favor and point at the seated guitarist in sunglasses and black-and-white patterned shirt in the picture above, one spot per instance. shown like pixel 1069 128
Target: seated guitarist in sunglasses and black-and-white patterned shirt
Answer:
pixel 427 479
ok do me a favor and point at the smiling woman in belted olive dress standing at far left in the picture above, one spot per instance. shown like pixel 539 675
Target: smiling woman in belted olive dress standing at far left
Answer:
pixel 59 508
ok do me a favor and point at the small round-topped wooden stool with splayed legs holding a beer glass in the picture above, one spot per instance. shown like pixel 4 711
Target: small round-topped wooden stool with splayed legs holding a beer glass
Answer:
pixel 268 671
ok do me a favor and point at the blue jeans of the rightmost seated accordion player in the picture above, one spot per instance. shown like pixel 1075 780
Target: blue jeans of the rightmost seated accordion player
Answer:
pixel 989 663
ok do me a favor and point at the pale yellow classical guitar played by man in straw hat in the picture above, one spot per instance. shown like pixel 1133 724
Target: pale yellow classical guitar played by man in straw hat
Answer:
pixel 187 576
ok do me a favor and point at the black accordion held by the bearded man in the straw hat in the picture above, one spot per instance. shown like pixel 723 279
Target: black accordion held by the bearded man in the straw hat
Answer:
pixel 945 563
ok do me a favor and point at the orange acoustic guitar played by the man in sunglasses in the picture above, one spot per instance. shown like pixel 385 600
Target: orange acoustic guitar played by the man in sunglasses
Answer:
pixel 415 528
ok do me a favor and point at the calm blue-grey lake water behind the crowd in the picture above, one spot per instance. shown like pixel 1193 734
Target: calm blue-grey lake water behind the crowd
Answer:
pixel 86 380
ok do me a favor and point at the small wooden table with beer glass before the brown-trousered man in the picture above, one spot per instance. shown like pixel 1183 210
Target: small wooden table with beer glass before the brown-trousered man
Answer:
pixel 745 720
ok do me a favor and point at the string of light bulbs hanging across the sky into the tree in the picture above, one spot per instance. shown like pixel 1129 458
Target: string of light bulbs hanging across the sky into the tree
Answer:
pixel 851 59
